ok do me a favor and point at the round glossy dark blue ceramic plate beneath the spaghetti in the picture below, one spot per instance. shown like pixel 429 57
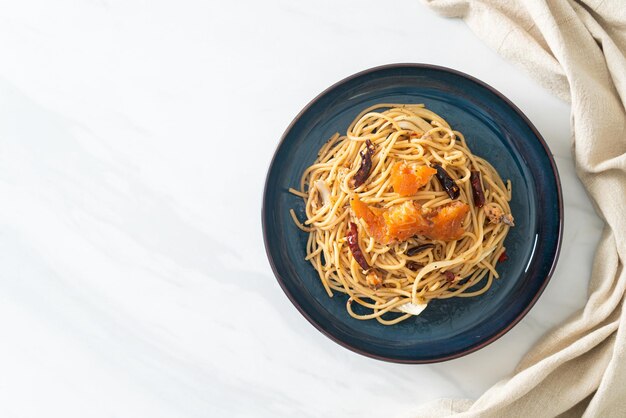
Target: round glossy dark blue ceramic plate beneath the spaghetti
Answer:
pixel 496 130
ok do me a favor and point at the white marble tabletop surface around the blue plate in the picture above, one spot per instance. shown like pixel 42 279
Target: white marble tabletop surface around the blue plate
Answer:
pixel 133 278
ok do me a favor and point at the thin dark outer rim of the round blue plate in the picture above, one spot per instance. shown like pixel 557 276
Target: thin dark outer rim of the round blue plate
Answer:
pixel 493 337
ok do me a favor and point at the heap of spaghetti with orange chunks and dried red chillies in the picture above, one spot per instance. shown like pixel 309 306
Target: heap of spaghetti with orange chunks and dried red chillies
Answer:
pixel 443 259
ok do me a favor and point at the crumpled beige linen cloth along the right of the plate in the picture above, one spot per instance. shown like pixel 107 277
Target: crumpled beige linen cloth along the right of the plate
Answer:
pixel 576 49
